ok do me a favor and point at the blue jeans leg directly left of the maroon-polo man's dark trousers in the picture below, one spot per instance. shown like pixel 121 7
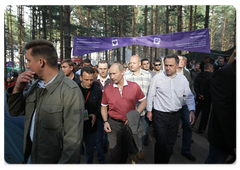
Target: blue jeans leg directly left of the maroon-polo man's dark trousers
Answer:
pixel 99 141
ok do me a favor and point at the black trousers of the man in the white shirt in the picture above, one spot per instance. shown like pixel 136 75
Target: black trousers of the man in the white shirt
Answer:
pixel 166 130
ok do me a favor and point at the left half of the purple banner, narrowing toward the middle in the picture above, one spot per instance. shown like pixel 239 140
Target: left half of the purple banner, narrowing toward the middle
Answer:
pixel 86 45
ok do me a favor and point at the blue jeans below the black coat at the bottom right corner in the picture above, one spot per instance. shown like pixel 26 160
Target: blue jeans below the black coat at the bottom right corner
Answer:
pixel 215 156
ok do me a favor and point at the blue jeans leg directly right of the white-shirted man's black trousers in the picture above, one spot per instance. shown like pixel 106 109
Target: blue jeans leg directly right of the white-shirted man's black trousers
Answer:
pixel 187 130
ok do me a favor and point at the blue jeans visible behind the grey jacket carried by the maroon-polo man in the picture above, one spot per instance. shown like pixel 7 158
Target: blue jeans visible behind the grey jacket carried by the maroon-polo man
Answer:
pixel 145 123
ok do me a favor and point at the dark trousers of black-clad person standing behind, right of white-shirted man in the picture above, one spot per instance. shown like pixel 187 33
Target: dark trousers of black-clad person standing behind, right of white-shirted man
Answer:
pixel 204 106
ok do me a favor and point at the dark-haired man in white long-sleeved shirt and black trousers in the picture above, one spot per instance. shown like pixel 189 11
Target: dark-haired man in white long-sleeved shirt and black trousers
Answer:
pixel 167 90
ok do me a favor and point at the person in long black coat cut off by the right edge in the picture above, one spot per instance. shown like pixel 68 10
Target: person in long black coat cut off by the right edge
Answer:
pixel 222 132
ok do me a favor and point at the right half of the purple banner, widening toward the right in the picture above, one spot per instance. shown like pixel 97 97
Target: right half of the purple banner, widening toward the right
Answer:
pixel 195 41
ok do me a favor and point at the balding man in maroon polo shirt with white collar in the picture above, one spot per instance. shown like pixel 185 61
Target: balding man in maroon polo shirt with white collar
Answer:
pixel 121 96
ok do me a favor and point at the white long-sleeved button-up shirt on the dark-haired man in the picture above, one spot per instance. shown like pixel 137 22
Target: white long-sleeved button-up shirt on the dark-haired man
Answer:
pixel 167 93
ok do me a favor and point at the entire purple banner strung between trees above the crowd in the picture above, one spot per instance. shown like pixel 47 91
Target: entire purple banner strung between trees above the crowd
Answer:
pixel 195 41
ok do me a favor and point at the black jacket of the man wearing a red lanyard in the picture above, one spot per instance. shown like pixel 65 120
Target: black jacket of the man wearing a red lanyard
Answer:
pixel 93 105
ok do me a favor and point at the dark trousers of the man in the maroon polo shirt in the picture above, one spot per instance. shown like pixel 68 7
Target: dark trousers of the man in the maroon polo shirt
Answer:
pixel 119 142
